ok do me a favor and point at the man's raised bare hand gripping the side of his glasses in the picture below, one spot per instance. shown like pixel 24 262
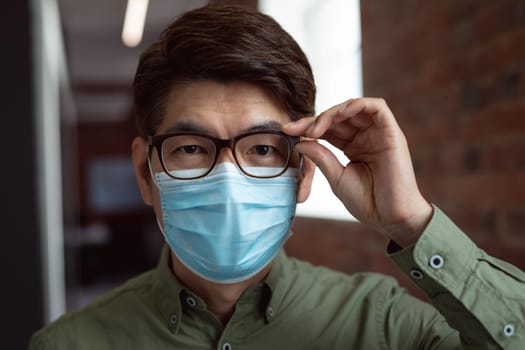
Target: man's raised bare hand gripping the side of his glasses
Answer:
pixel 378 185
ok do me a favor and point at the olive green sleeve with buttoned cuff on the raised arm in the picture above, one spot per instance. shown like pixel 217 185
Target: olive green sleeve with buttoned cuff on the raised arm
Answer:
pixel 480 296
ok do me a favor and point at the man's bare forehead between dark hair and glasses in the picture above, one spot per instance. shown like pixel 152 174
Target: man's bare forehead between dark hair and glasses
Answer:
pixel 221 109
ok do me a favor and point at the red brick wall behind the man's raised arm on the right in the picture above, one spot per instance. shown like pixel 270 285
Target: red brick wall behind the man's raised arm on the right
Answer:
pixel 453 74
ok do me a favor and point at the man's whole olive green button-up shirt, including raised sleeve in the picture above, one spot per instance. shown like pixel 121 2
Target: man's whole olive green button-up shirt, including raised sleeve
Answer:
pixel 299 306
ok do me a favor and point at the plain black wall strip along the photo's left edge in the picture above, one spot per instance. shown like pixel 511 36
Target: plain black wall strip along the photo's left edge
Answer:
pixel 21 292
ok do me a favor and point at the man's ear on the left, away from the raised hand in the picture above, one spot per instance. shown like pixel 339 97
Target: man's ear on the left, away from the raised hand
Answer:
pixel 140 163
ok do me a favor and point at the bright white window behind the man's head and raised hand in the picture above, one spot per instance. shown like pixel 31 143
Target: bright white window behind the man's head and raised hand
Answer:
pixel 330 34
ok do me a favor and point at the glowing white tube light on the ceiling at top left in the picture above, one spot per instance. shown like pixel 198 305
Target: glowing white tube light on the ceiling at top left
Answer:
pixel 134 22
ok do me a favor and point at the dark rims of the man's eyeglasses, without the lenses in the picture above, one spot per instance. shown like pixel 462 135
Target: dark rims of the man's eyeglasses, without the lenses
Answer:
pixel 157 141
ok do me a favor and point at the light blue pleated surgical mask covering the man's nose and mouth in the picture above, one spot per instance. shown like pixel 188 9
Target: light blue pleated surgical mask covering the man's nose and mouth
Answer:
pixel 226 227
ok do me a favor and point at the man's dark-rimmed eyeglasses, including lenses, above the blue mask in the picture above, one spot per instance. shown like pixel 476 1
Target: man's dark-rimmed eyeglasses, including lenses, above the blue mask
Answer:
pixel 259 154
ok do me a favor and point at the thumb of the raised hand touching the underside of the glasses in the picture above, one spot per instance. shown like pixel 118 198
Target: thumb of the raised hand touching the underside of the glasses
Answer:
pixel 325 160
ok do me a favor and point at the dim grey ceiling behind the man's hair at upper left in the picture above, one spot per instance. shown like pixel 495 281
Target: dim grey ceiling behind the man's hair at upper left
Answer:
pixel 100 66
